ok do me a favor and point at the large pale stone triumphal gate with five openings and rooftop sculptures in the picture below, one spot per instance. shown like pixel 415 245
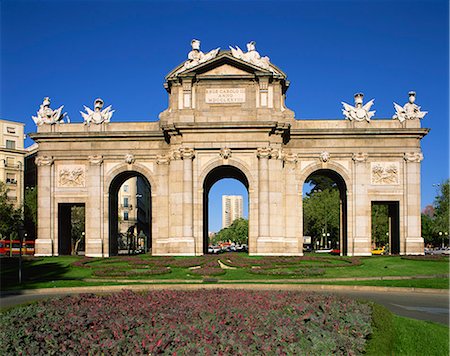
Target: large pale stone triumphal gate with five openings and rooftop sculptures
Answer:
pixel 227 118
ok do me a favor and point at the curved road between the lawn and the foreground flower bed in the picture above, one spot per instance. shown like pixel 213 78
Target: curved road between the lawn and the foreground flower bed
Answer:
pixel 430 306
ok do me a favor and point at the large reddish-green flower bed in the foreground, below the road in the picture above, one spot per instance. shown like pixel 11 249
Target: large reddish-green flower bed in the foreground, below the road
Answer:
pixel 188 322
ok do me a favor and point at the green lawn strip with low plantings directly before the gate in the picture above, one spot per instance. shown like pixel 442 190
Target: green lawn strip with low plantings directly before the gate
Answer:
pixel 72 271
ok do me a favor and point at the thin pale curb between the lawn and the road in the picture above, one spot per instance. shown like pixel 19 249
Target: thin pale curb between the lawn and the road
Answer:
pixel 252 286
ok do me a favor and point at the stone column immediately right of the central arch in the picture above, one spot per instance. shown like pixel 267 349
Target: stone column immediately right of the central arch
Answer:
pixel 264 217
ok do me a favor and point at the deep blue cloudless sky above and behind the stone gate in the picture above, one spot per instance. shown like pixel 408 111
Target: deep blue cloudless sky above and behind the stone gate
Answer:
pixel 76 51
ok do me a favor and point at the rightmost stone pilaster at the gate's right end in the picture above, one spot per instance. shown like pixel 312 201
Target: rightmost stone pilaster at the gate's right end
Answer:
pixel 413 243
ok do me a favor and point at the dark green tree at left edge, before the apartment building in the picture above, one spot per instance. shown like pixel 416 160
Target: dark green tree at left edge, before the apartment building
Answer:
pixel 10 217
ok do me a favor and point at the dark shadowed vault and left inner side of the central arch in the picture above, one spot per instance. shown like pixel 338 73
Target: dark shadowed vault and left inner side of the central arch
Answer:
pixel 216 174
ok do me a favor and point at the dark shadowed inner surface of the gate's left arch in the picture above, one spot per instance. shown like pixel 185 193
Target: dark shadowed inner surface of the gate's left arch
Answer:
pixel 143 205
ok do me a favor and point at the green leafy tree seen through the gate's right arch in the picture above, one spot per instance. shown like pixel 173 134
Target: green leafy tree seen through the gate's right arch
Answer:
pixel 321 214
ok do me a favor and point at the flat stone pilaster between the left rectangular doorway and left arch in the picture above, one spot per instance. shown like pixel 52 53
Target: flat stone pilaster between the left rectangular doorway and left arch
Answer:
pixel 94 238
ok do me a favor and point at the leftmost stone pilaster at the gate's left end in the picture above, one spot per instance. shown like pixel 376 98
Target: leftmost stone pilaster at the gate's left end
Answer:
pixel 45 244
